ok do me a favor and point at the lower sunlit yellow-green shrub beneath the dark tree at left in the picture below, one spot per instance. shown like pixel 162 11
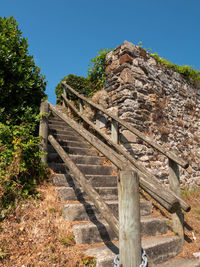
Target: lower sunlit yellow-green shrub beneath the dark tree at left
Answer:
pixel 20 165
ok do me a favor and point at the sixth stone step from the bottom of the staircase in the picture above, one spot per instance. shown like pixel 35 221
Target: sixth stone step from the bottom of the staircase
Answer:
pixel 85 169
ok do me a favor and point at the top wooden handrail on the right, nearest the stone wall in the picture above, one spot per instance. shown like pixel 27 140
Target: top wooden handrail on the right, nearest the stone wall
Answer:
pixel 142 136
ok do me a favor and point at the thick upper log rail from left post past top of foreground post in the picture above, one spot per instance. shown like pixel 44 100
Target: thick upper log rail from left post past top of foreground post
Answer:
pixel 151 185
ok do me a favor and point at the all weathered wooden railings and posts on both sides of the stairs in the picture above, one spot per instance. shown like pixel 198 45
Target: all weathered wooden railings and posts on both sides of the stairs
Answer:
pixel 131 175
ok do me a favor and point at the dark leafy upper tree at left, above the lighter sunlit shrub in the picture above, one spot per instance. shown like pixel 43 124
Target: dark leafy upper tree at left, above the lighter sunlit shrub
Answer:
pixel 21 84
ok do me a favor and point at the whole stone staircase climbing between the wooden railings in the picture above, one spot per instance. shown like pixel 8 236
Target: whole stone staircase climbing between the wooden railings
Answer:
pixel 89 227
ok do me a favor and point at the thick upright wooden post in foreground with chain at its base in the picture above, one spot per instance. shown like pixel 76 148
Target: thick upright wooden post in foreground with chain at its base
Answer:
pixel 129 219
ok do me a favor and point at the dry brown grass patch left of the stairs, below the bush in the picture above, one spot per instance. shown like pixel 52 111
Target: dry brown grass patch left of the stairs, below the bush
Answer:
pixel 36 234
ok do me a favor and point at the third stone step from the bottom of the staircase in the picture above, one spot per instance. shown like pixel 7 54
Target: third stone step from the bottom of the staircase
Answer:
pixel 87 211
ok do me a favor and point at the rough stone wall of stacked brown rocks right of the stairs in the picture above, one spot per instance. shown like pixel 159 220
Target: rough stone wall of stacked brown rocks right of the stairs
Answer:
pixel 158 101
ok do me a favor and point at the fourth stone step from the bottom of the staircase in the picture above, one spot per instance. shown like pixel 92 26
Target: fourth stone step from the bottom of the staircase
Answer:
pixel 76 194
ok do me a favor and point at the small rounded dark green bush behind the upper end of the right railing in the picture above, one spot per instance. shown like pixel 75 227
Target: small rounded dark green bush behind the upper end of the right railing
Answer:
pixel 80 84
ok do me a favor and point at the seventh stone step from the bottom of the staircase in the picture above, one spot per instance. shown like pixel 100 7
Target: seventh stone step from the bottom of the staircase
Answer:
pixel 54 157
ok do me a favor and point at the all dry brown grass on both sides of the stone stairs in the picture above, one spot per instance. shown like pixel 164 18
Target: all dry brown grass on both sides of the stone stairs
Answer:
pixel 36 234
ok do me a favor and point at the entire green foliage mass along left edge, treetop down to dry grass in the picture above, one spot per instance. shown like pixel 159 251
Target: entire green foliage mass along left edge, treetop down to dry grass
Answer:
pixel 22 89
